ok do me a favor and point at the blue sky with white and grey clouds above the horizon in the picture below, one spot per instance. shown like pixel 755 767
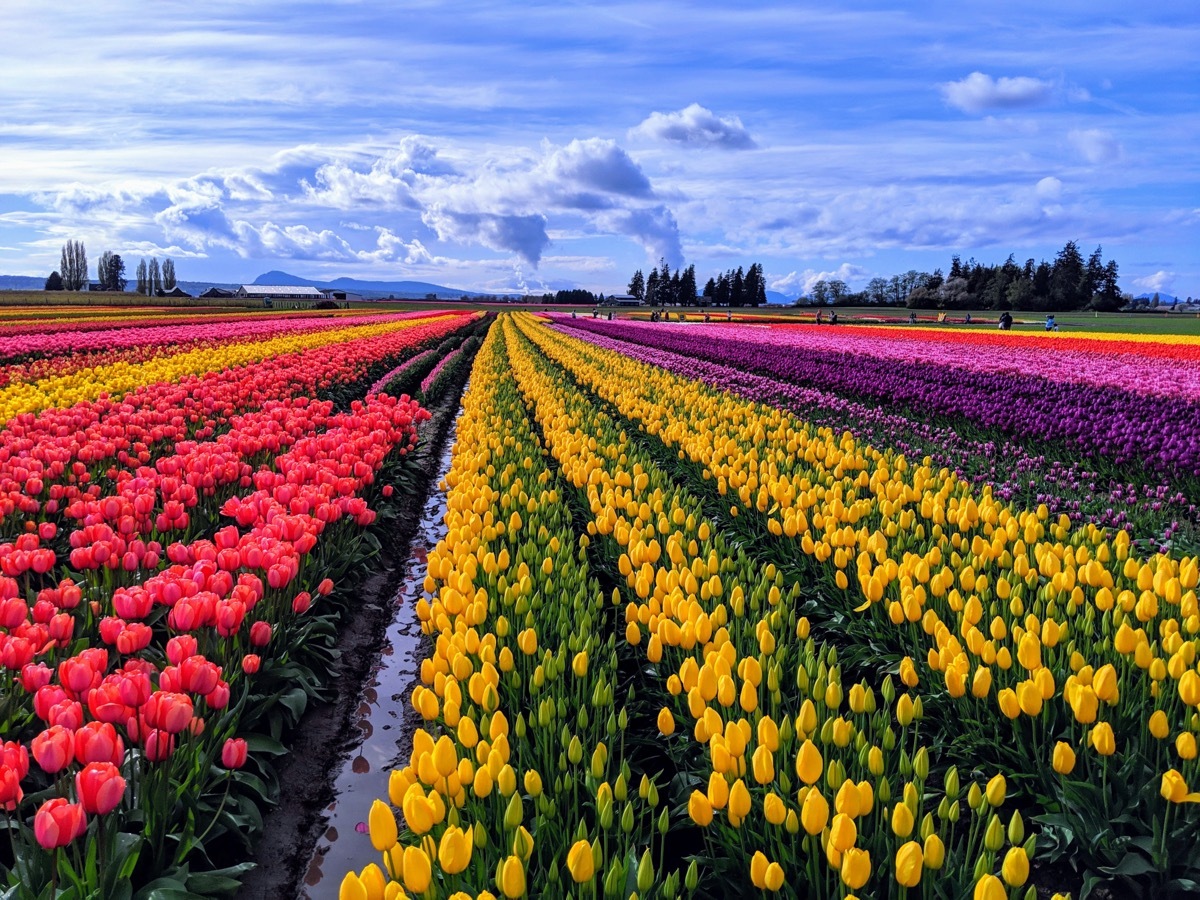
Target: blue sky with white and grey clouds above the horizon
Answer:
pixel 500 146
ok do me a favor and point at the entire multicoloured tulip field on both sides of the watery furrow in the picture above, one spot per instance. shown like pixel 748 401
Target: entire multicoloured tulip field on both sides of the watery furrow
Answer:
pixel 722 610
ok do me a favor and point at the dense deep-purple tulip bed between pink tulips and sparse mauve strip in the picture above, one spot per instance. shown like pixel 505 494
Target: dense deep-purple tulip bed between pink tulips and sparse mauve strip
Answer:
pixel 1121 427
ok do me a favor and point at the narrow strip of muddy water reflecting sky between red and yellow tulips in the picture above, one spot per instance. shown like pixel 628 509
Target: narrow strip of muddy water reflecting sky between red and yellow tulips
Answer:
pixel 380 742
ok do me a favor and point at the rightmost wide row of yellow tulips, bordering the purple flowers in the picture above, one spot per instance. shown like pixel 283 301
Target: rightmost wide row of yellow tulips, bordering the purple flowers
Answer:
pixel 1060 645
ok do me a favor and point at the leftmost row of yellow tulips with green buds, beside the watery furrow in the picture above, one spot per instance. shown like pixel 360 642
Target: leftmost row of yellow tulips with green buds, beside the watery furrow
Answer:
pixel 518 785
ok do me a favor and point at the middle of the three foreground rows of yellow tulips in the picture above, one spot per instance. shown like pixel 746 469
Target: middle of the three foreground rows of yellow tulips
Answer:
pixel 802 783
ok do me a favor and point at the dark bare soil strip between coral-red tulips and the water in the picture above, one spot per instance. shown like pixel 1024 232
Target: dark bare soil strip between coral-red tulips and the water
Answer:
pixel 328 733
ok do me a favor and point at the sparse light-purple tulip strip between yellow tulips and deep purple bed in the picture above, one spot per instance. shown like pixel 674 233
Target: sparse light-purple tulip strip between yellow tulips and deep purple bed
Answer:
pixel 1016 475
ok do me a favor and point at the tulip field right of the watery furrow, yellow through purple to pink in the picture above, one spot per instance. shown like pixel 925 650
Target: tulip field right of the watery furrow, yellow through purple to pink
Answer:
pixel 807 611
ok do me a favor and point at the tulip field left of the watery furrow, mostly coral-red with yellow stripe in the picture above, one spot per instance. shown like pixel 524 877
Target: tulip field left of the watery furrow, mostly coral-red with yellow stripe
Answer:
pixel 182 501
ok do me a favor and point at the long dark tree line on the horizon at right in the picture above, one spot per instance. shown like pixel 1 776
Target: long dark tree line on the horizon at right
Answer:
pixel 1067 283
